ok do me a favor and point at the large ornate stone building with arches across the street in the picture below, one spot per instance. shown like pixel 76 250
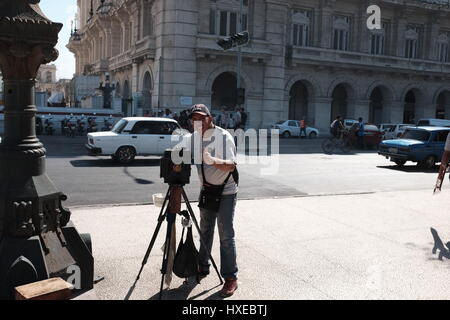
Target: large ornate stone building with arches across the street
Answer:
pixel 311 58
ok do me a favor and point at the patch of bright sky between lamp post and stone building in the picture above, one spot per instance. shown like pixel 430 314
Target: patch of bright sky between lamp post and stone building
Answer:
pixel 62 11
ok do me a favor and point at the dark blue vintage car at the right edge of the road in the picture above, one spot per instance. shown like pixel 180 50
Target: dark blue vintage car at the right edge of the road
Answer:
pixel 424 145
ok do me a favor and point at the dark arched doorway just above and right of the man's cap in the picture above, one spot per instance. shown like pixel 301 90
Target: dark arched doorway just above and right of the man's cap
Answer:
pixel 224 92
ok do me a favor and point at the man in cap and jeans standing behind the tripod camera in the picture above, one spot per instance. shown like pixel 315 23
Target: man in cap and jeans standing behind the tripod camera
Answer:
pixel 218 196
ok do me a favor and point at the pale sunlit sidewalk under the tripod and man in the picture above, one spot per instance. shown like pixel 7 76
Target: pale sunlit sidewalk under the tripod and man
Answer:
pixel 366 246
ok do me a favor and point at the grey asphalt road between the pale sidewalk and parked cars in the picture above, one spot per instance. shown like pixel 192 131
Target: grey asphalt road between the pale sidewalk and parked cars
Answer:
pixel 304 170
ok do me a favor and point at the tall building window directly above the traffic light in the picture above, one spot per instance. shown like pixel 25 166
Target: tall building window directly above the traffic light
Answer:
pixel 224 18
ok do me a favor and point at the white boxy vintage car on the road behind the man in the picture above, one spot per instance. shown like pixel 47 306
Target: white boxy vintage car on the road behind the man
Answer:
pixel 132 137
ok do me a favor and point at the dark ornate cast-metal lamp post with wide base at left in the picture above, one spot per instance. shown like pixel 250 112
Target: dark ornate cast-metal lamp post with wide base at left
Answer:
pixel 37 239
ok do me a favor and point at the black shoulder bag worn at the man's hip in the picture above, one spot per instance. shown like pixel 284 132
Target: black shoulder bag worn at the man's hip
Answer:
pixel 211 195
